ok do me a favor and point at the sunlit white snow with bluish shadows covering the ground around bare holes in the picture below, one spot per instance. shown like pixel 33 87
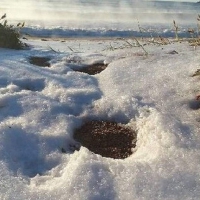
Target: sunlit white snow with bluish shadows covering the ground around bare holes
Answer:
pixel 40 108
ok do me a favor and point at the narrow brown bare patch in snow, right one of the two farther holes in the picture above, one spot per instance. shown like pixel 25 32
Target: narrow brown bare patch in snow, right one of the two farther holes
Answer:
pixel 92 69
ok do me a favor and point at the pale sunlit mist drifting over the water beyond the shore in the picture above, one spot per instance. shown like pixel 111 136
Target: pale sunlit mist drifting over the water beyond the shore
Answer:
pixel 87 13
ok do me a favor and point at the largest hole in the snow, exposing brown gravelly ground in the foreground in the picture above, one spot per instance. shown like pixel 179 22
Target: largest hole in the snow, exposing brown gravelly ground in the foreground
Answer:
pixel 108 139
